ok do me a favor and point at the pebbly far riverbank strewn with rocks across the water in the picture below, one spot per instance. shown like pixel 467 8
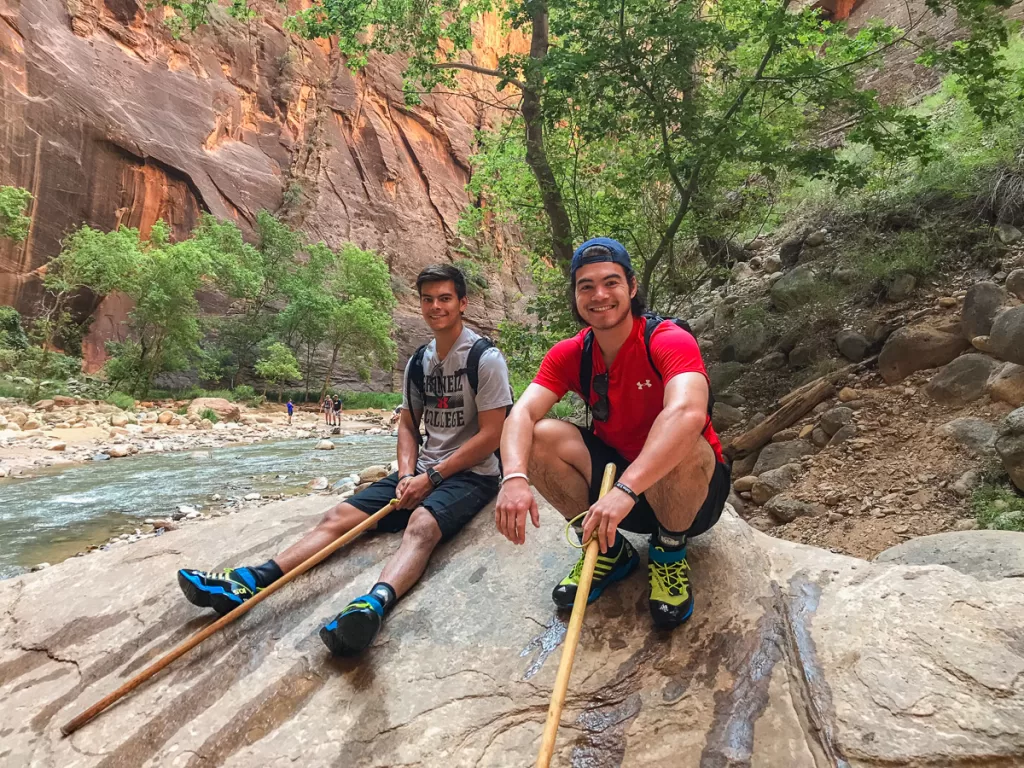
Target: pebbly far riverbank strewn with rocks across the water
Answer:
pixel 67 431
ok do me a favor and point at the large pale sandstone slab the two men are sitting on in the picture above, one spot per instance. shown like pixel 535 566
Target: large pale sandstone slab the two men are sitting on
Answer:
pixel 795 657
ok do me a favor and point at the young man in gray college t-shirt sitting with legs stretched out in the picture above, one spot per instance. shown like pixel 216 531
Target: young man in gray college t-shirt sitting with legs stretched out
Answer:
pixel 441 487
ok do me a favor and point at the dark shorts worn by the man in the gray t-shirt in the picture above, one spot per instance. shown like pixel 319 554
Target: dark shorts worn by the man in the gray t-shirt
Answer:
pixel 453 504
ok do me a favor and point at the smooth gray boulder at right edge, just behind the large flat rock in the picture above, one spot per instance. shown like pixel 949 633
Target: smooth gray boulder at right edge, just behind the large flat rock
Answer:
pixel 987 556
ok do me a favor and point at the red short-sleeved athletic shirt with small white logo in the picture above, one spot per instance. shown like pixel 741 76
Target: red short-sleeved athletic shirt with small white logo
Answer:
pixel 636 395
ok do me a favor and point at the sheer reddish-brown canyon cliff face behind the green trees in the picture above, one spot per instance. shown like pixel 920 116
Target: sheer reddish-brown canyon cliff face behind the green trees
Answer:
pixel 109 121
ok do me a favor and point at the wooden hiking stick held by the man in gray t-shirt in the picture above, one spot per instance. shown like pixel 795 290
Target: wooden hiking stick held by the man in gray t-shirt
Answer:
pixel 73 726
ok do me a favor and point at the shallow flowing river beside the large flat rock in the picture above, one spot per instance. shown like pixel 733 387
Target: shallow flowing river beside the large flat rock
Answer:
pixel 50 518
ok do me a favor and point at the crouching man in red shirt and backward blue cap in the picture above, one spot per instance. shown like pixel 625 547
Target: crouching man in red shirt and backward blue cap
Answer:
pixel 651 417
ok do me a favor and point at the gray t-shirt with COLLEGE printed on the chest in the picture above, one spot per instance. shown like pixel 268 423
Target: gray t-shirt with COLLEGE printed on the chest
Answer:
pixel 450 411
